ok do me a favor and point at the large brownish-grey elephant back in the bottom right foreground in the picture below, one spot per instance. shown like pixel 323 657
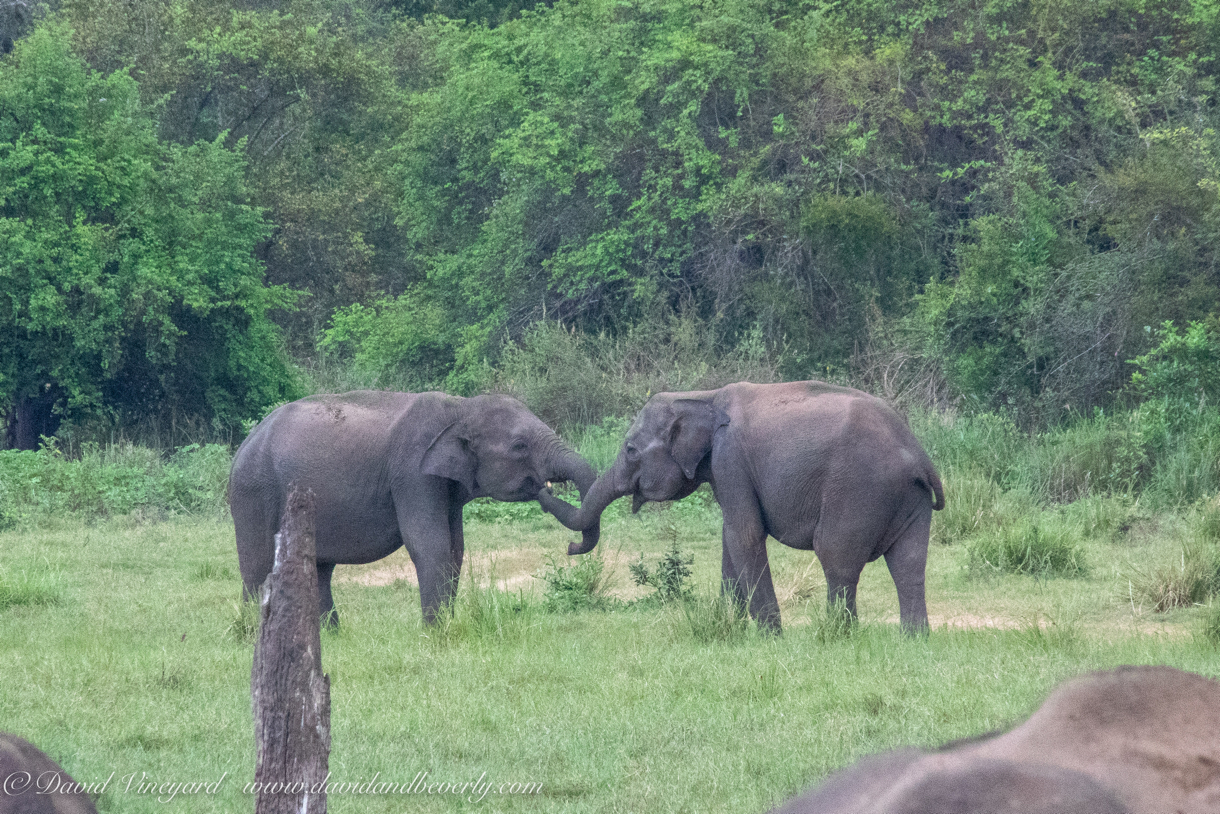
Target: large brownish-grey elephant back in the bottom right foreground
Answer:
pixel 1128 741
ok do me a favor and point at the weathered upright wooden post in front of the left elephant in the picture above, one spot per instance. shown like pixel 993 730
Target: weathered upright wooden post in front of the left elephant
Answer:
pixel 292 697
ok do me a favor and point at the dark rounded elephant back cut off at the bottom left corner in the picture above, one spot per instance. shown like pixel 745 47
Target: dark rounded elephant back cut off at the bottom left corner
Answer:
pixel 26 771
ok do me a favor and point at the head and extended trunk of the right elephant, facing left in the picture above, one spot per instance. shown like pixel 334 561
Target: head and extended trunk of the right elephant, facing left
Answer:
pixel 659 461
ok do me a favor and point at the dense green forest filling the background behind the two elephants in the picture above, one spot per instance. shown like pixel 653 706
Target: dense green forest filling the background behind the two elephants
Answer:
pixel 212 207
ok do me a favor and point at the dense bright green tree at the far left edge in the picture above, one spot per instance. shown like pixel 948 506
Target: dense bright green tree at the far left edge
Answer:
pixel 127 264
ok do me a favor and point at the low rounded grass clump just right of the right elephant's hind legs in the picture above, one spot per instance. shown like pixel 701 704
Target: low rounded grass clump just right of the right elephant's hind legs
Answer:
pixel 1049 550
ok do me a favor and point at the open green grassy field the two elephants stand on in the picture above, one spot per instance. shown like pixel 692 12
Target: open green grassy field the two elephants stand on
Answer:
pixel 125 658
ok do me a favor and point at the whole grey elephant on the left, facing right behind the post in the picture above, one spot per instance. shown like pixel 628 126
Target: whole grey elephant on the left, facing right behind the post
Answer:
pixel 390 470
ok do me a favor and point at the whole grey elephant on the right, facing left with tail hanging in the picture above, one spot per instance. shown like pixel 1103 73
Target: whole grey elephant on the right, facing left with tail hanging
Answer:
pixel 817 467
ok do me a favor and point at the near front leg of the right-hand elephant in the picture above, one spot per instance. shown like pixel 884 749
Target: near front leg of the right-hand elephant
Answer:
pixel 745 568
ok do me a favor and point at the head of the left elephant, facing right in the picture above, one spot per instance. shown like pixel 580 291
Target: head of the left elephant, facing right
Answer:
pixel 496 447
